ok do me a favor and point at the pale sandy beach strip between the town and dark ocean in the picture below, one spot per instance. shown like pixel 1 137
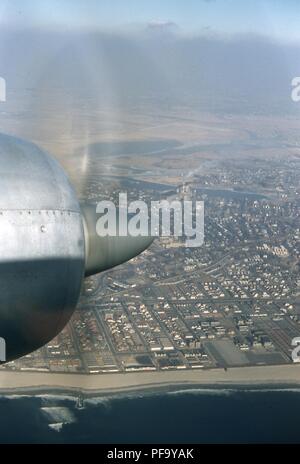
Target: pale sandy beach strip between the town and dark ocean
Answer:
pixel 93 385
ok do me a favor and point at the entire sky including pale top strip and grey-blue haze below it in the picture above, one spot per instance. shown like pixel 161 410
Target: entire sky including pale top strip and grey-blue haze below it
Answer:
pixel 40 51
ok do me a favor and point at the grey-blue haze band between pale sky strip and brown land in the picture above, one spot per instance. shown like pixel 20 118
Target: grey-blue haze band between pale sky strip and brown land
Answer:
pixel 116 67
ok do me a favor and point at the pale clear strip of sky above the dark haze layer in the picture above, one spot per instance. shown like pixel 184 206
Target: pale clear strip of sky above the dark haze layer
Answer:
pixel 275 18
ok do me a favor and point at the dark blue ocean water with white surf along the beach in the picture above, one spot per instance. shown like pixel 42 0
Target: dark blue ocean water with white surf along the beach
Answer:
pixel 182 416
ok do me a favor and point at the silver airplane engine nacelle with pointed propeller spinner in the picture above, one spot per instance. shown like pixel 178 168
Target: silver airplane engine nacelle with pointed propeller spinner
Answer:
pixel 48 244
